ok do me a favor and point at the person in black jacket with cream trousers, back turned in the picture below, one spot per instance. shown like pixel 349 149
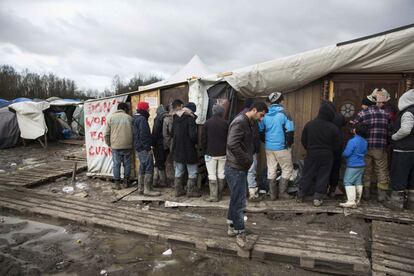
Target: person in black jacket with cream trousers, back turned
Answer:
pixel 214 140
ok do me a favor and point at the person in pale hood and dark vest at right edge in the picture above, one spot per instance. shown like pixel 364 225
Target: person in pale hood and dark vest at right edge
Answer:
pixel 402 166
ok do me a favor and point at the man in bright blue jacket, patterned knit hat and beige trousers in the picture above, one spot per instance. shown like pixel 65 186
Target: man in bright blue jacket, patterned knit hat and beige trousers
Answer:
pixel 279 130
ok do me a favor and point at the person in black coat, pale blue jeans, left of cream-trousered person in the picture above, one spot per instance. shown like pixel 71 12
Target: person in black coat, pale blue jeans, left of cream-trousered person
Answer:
pixel 184 133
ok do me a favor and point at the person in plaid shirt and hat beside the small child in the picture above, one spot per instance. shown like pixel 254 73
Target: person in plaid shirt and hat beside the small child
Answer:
pixel 377 120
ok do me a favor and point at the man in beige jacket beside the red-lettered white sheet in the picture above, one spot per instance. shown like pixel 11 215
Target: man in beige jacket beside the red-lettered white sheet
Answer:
pixel 118 136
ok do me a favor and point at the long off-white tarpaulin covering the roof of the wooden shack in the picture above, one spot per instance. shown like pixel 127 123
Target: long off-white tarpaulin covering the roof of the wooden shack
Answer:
pixel 389 53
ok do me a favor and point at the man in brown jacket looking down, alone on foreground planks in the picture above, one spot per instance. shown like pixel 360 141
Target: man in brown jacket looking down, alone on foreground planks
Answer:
pixel 239 158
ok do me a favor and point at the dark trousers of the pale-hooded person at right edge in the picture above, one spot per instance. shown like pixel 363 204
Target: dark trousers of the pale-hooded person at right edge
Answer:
pixel 402 171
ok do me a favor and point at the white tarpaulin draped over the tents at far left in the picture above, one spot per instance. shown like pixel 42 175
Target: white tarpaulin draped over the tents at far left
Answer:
pixel 30 118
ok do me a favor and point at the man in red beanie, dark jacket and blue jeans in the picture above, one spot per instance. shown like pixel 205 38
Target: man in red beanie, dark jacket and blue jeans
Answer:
pixel 143 143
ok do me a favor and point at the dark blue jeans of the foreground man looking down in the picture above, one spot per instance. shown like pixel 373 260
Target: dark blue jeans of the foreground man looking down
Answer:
pixel 237 181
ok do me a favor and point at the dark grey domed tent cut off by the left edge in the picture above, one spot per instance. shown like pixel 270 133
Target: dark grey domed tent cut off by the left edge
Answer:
pixel 9 129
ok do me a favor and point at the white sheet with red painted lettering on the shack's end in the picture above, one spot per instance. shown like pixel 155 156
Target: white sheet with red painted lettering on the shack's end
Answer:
pixel 99 155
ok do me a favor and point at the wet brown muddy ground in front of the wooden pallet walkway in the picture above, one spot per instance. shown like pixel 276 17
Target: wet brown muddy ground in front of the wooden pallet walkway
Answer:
pixel 30 247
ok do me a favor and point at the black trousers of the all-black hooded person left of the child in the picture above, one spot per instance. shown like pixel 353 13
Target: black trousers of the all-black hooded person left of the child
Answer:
pixel 315 175
